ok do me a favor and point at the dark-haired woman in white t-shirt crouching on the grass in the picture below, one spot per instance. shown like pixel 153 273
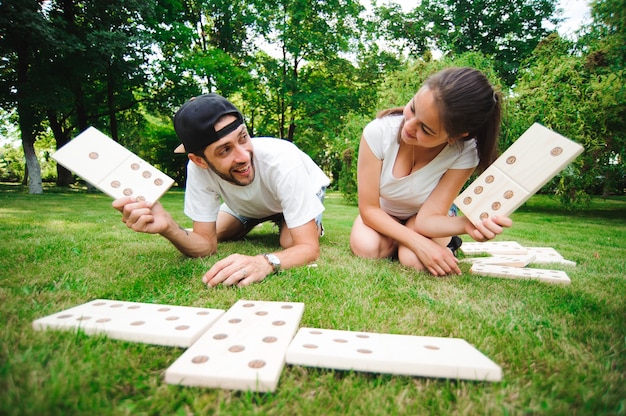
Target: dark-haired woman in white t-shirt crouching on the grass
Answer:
pixel 413 162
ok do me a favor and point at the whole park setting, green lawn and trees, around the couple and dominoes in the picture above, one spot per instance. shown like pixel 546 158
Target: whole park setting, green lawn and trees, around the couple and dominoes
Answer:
pixel 314 73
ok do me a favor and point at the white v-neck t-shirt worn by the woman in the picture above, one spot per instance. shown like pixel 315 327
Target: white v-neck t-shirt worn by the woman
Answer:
pixel 403 197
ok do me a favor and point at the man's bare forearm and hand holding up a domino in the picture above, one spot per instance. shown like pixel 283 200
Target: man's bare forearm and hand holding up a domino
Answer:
pixel 154 219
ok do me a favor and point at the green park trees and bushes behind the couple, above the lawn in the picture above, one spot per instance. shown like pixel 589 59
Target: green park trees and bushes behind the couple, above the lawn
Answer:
pixel 310 72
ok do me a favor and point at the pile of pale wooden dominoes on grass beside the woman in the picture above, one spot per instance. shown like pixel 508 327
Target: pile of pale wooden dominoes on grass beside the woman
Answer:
pixel 509 259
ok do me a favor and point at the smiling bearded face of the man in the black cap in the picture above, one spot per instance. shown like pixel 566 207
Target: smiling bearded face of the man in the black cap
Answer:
pixel 231 156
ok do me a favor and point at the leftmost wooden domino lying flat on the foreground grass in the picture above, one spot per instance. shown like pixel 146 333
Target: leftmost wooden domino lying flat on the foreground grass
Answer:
pixel 168 325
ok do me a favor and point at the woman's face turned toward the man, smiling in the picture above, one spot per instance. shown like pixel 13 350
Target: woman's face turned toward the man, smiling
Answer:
pixel 422 125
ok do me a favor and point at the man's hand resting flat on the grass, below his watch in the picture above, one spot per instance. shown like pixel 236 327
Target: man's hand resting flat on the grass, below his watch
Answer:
pixel 239 270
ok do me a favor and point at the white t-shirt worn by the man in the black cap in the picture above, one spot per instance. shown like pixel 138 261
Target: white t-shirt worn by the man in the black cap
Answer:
pixel 286 181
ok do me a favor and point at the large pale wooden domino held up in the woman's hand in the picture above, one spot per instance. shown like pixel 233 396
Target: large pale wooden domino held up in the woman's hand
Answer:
pixel 535 158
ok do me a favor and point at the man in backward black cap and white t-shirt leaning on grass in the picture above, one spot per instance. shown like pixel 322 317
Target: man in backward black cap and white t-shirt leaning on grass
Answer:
pixel 260 179
